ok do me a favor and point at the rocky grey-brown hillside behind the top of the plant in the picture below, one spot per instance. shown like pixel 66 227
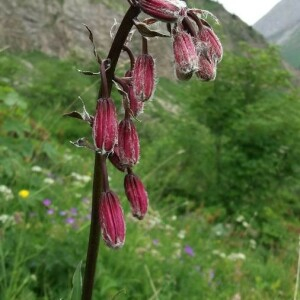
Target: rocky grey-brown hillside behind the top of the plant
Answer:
pixel 55 27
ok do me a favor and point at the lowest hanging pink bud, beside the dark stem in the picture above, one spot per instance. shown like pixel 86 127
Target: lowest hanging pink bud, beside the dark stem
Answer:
pixel 112 220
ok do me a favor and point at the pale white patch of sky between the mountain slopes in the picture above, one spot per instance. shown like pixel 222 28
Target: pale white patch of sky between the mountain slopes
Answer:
pixel 249 11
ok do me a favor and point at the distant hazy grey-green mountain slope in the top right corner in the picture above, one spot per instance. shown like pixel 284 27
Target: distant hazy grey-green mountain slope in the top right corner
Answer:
pixel 281 26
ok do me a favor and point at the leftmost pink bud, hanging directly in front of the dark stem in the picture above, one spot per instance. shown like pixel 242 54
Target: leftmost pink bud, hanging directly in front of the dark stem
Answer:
pixel 105 125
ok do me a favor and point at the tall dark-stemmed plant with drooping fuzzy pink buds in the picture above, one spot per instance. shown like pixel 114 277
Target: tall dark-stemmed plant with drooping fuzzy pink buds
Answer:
pixel 196 49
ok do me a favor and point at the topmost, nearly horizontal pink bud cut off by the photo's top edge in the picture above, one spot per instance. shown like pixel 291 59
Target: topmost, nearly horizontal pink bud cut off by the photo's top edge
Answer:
pixel 163 10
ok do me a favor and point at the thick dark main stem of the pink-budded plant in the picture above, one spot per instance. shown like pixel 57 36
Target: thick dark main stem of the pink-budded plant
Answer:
pixel 100 172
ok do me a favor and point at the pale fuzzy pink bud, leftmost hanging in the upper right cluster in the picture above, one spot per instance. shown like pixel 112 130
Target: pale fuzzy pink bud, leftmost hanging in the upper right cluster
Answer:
pixel 185 53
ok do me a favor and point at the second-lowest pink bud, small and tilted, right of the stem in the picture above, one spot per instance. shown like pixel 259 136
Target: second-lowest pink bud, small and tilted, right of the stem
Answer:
pixel 137 195
